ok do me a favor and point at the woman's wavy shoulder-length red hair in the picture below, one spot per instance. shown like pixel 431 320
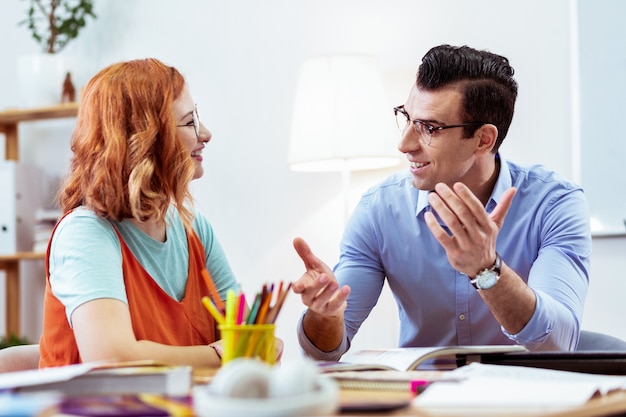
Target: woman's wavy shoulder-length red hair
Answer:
pixel 127 158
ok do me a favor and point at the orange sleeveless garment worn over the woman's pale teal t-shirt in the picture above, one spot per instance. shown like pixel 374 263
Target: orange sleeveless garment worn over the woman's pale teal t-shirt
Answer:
pixel 154 314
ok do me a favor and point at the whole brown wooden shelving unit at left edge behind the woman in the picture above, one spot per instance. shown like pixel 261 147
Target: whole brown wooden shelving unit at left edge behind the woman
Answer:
pixel 10 264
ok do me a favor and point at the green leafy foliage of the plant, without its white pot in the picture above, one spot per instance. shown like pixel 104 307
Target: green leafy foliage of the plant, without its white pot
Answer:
pixel 54 23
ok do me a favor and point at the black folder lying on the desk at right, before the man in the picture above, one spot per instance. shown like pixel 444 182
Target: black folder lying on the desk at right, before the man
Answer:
pixel 593 362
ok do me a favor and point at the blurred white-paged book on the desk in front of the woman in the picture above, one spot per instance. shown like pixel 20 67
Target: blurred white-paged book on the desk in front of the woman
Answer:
pixel 102 379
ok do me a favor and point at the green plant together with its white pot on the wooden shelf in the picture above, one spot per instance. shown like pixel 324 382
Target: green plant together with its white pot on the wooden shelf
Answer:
pixel 43 78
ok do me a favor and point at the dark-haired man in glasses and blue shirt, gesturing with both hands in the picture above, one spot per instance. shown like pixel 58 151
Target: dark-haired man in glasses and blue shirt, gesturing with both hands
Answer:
pixel 476 249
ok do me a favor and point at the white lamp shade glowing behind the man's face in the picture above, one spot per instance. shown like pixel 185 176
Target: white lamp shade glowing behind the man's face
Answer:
pixel 341 117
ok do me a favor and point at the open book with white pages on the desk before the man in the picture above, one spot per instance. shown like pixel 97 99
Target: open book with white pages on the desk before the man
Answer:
pixel 406 359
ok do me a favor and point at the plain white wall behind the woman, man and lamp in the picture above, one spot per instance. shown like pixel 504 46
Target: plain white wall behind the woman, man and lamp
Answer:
pixel 241 59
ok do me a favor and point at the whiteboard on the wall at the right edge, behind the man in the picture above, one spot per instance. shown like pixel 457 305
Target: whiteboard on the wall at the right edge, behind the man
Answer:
pixel 602 40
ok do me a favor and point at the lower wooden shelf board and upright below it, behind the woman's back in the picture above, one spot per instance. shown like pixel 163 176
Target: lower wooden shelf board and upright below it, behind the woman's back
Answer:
pixel 10 264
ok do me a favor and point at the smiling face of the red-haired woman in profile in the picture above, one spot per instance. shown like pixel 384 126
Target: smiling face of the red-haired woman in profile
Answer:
pixel 191 131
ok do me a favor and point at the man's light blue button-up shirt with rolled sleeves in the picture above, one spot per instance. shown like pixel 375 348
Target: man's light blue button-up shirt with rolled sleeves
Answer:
pixel 545 238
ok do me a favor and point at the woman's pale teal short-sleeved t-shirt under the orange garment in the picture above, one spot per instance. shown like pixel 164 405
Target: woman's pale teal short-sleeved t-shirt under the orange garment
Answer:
pixel 86 260
